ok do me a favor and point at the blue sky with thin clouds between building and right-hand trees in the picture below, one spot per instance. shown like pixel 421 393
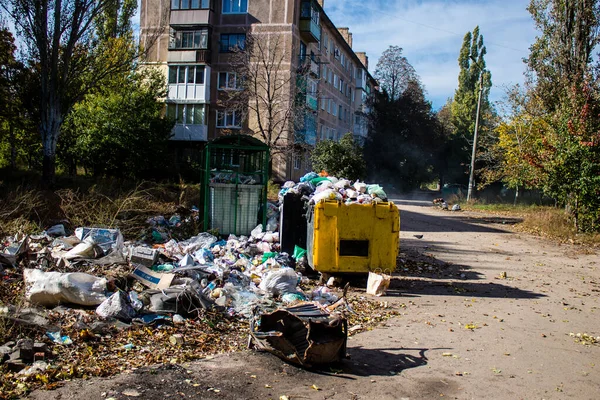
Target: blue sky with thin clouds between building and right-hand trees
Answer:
pixel 431 34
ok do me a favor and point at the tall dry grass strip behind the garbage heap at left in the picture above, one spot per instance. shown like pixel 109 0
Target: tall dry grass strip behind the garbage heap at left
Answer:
pixel 27 211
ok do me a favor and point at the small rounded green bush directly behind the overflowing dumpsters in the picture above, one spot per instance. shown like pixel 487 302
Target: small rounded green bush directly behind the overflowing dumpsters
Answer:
pixel 342 159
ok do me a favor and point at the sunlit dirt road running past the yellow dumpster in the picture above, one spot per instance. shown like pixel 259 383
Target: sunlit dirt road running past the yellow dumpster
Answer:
pixel 486 313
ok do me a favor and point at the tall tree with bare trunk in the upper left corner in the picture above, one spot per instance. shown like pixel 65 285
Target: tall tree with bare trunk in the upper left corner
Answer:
pixel 73 56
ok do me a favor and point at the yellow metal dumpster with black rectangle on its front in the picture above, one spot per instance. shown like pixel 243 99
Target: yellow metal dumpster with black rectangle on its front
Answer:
pixel 352 238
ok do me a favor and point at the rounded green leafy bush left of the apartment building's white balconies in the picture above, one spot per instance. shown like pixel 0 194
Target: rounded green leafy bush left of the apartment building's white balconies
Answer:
pixel 120 130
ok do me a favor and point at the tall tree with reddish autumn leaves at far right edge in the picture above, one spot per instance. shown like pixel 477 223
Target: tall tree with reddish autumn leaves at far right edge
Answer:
pixel 564 81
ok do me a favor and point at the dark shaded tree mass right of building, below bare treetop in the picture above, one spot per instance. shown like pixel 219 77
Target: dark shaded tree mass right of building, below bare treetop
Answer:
pixel 404 141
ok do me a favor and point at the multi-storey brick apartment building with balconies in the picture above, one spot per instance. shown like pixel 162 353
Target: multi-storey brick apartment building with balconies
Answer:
pixel 192 41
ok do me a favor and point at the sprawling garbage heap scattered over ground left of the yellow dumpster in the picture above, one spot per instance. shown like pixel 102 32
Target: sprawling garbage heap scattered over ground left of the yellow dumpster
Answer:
pixel 113 297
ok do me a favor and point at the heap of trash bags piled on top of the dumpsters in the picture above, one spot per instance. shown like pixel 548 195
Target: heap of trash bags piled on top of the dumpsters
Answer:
pixel 318 187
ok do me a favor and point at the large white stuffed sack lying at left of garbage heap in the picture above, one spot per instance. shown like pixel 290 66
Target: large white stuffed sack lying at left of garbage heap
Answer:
pixel 53 288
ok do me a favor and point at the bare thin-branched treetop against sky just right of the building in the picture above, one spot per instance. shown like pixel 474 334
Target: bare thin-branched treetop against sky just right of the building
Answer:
pixel 394 72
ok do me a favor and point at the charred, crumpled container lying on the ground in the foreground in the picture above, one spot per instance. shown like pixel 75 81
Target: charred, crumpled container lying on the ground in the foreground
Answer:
pixel 306 334
